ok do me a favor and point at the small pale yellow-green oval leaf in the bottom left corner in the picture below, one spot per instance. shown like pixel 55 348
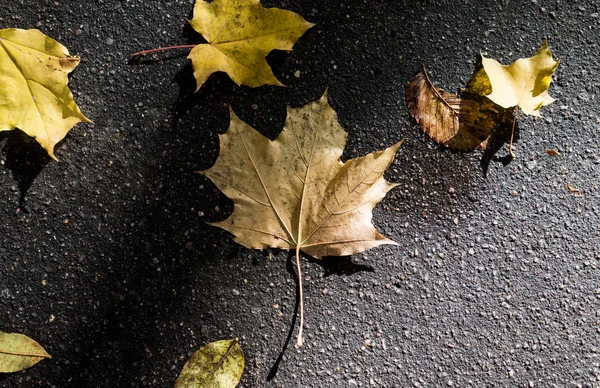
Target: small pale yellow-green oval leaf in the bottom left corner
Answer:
pixel 18 352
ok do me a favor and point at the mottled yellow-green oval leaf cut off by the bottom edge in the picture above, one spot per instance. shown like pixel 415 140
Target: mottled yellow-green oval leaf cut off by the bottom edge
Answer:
pixel 219 364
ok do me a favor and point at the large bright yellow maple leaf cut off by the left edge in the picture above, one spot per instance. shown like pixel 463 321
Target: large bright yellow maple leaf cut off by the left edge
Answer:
pixel 34 95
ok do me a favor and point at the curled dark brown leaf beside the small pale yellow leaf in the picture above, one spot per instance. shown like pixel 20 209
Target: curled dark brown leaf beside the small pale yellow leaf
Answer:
pixel 460 123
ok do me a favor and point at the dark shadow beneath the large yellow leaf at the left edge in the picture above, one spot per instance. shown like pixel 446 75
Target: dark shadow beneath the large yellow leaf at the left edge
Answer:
pixel 25 158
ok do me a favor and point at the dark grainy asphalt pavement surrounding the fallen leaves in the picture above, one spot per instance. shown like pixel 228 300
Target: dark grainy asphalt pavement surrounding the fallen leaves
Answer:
pixel 107 260
